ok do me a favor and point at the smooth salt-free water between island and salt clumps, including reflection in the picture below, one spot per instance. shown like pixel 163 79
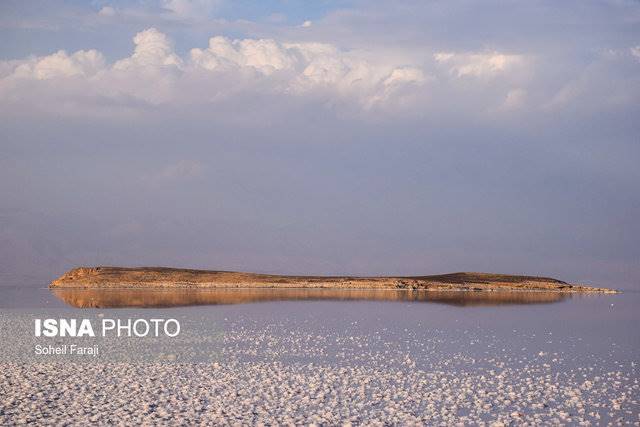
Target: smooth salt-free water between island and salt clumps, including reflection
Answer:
pixel 603 325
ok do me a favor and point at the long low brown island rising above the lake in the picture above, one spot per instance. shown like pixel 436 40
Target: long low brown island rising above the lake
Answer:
pixel 171 278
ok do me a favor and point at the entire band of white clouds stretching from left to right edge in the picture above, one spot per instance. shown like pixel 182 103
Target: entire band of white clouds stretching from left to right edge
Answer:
pixel 243 70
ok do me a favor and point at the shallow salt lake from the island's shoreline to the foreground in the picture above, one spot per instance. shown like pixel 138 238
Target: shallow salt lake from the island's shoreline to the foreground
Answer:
pixel 332 356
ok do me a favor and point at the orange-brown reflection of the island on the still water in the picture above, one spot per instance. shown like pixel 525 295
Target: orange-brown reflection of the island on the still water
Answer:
pixel 152 298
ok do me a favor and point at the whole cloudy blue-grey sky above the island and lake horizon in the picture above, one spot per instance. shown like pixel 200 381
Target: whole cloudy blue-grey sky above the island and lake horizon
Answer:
pixel 321 137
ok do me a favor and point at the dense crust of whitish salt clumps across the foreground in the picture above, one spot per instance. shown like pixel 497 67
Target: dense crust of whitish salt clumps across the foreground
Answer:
pixel 279 393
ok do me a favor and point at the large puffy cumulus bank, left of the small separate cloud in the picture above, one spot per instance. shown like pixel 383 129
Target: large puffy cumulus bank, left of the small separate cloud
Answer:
pixel 155 74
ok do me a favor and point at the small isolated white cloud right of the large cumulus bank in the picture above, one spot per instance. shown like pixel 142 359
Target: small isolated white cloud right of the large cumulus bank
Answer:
pixel 486 64
